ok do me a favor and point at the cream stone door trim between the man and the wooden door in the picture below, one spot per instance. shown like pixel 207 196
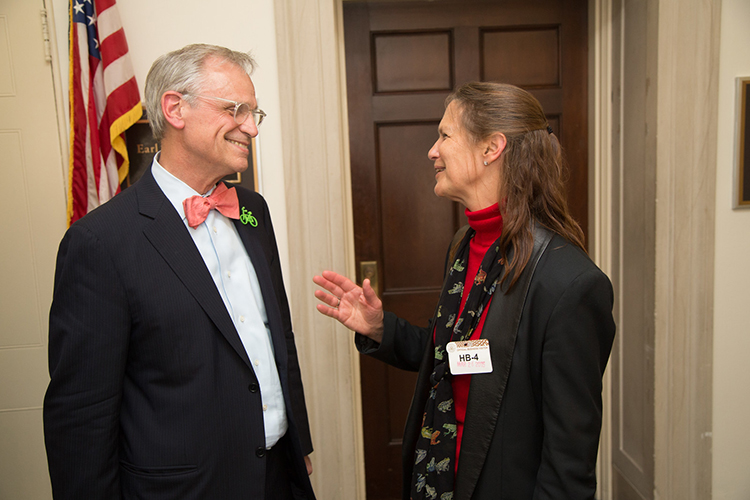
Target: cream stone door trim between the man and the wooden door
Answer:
pixel 315 136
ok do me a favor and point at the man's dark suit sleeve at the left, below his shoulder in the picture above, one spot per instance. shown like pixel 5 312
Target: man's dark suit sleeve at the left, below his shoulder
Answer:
pixel 88 340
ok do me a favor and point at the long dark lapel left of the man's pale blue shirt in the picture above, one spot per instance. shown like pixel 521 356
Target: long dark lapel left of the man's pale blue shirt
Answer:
pixel 167 233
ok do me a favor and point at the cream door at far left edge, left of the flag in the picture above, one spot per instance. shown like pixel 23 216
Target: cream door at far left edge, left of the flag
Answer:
pixel 33 204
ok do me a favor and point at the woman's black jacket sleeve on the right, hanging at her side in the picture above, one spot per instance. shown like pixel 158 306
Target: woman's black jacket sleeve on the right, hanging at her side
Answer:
pixel 576 348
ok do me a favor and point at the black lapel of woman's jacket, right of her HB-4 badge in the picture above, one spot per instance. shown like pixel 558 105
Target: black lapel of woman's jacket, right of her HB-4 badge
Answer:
pixel 487 390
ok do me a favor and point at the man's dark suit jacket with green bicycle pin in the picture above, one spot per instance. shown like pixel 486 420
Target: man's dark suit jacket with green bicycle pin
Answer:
pixel 152 395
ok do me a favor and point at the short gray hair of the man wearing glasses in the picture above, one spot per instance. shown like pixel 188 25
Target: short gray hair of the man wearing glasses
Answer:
pixel 182 71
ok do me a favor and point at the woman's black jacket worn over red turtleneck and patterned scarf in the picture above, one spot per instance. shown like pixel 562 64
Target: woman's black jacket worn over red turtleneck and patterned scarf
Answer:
pixel 532 425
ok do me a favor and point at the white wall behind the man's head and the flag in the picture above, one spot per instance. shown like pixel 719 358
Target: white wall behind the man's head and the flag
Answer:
pixel 154 28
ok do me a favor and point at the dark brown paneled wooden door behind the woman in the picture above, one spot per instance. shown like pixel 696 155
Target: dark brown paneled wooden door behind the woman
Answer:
pixel 402 60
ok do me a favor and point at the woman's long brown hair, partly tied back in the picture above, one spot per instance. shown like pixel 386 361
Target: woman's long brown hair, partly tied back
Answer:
pixel 532 185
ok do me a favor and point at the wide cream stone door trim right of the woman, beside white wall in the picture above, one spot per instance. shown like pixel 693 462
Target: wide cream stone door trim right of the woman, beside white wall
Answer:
pixel 686 147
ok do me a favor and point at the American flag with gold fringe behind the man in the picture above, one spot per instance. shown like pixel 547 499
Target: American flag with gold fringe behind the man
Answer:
pixel 104 102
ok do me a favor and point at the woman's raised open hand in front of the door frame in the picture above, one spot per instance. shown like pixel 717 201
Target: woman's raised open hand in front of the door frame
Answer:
pixel 357 308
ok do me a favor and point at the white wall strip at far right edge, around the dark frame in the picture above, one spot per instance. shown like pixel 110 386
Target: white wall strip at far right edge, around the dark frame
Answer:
pixel 731 405
